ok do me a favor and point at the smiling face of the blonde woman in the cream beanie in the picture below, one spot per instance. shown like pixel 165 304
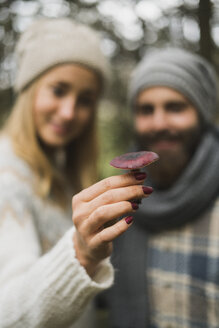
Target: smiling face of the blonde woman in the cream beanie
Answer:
pixel 65 103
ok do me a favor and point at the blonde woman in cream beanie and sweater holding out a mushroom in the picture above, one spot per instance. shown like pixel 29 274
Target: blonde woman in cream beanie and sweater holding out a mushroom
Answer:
pixel 51 267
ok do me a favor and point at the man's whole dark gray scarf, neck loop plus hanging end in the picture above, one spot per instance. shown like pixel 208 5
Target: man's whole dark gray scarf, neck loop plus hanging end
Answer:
pixel 194 192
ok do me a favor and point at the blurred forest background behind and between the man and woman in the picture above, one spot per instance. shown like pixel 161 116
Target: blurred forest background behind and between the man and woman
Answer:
pixel 128 28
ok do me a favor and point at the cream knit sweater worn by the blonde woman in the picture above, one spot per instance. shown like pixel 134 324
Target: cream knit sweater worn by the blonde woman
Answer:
pixel 42 284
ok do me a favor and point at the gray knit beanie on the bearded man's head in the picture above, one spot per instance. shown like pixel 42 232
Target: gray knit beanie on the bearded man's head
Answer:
pixel 187 73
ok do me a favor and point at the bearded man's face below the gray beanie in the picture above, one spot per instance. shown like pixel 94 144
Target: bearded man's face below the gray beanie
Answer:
pixel 166 123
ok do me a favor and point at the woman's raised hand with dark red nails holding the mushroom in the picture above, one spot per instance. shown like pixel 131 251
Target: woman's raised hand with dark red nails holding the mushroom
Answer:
pixel 94 209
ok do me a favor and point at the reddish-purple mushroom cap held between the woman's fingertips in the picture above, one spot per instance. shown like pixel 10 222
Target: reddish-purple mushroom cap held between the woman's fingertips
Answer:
pixel 134 160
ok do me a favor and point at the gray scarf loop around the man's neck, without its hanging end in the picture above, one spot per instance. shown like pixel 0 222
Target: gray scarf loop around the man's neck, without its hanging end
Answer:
pixel 192 194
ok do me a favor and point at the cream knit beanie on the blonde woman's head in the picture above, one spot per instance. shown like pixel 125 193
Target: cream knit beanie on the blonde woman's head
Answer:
pixel 49 42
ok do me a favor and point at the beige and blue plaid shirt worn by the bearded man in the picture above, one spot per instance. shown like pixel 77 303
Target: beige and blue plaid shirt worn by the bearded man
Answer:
pixel 183 275
